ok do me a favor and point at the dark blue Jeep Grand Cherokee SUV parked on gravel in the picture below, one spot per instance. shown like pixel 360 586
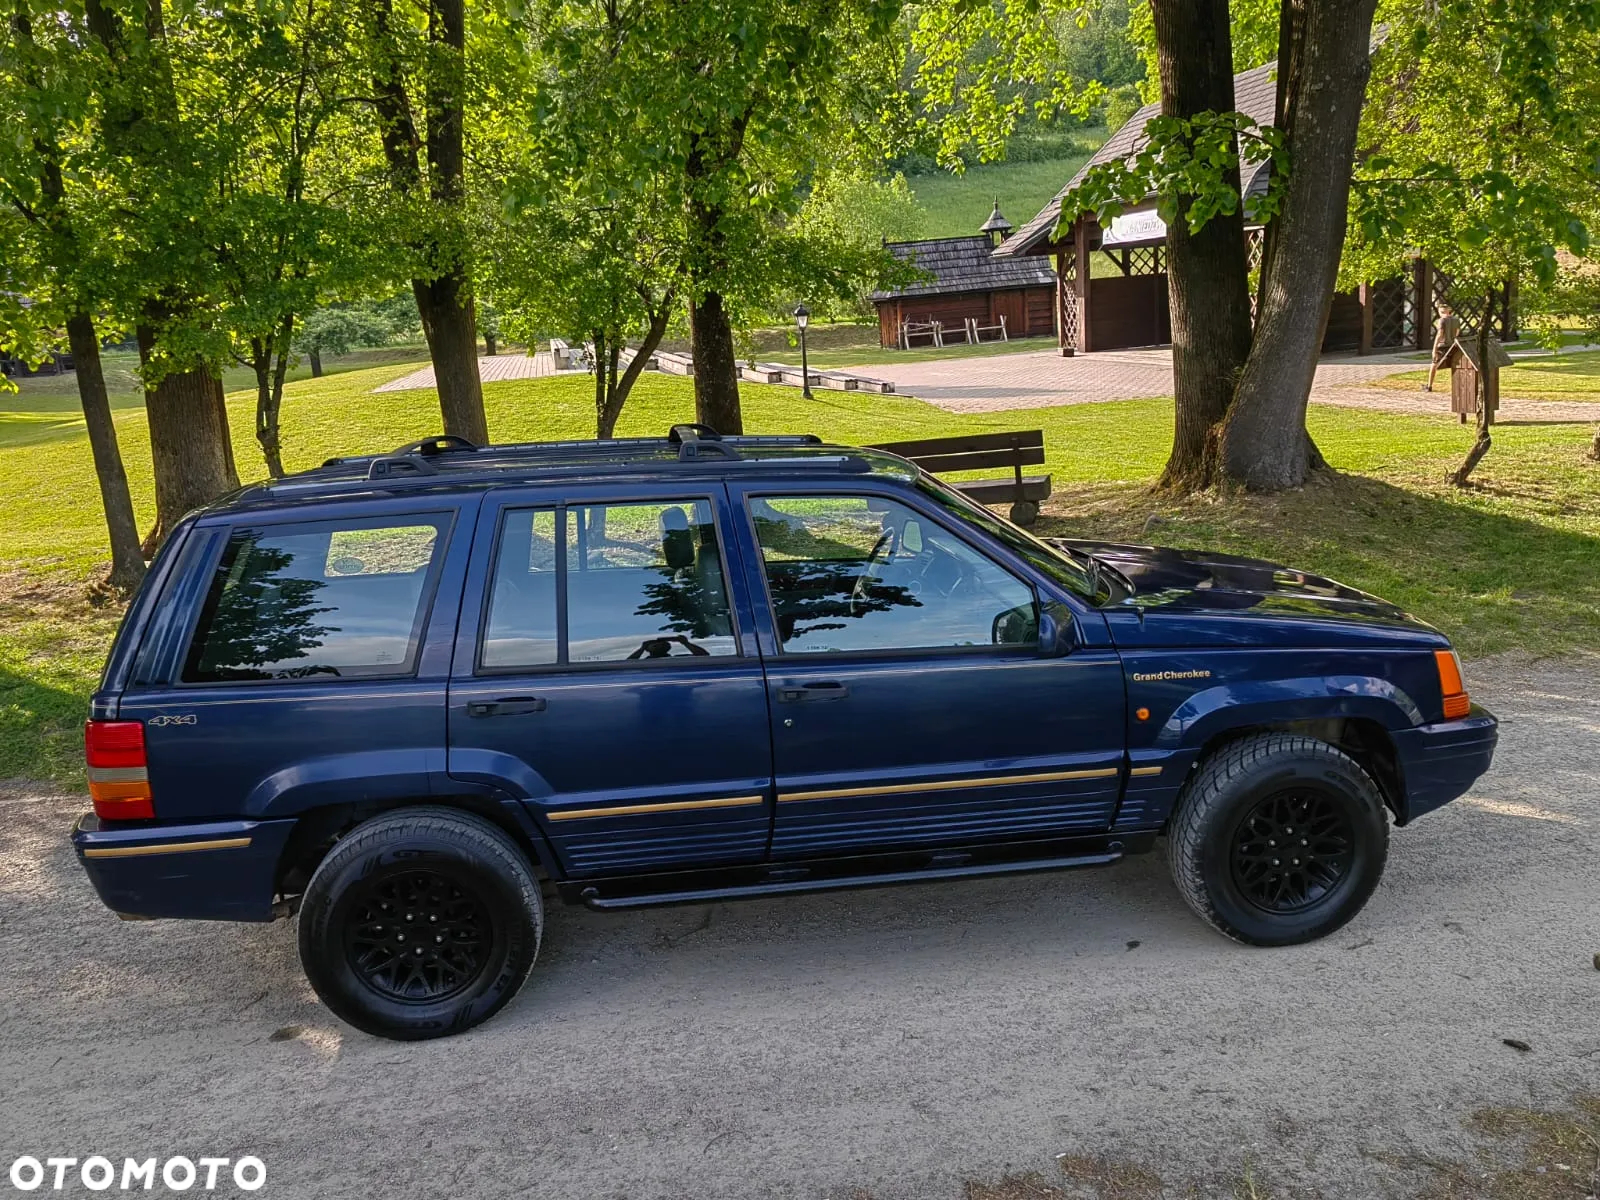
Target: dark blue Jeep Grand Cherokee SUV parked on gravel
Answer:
pixel 401 694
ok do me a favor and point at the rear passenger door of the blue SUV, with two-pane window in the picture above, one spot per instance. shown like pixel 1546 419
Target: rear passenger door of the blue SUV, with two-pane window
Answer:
pixel 607 674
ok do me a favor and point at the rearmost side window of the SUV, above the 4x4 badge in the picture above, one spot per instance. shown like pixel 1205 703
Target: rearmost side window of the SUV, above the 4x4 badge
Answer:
pixel 316 601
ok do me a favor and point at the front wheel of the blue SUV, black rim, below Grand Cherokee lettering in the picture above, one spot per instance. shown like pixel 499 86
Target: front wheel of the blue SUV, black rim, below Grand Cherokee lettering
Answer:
pixel 1236 825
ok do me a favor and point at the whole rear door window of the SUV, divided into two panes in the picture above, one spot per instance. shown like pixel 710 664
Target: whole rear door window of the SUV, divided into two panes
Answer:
pixel 644 582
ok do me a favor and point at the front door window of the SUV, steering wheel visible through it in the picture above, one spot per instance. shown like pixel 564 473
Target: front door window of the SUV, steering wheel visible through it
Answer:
pixel 868 574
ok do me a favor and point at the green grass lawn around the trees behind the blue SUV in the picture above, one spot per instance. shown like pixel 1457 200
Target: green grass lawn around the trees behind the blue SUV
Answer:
pixel 1510 564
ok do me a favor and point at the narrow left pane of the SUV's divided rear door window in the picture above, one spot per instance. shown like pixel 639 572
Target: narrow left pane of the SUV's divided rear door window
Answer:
pixel 521 631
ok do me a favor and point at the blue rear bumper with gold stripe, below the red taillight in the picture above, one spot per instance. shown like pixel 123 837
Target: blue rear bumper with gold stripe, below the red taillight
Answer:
pixel 218 871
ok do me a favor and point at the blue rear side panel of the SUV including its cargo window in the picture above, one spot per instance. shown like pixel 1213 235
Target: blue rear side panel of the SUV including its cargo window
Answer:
pixel 302 658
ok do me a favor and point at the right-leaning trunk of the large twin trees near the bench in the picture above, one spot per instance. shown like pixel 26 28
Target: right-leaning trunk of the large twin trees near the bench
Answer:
pixel 1265 444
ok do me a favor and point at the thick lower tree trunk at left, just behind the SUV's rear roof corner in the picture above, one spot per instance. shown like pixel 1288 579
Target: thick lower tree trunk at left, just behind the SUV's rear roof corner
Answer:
pixel 191 447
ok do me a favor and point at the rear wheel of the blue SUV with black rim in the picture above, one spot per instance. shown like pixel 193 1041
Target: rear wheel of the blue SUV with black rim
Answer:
pixel 407 879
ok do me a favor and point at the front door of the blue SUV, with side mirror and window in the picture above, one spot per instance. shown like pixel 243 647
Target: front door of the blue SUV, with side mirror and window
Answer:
pixel 910 700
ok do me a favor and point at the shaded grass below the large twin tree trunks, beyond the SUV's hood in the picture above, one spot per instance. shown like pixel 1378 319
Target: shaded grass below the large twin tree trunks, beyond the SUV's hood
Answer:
pixel 1492 582
